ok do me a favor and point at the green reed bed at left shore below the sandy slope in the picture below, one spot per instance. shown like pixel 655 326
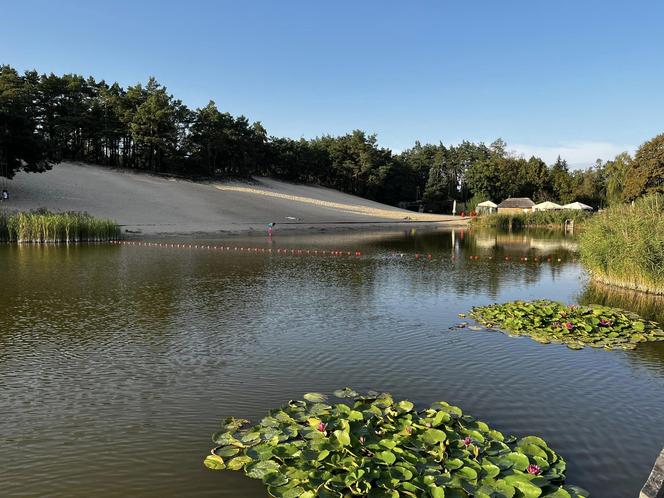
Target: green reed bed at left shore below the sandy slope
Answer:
pixel 42 226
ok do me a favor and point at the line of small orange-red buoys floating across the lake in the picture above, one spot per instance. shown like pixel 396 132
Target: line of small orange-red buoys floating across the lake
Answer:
pixel 325 252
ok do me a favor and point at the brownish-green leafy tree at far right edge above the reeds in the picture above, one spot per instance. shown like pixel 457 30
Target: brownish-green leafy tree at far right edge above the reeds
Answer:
pixel 646 175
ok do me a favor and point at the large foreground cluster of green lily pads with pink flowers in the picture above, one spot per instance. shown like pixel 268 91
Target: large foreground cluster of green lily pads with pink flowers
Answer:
pixel 370 445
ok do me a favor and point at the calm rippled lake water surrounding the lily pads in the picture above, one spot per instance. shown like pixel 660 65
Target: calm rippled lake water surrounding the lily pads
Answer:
pixel 117 362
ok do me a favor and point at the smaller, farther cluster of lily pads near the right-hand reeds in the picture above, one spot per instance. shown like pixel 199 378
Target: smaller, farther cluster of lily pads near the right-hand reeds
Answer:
pixel 575 326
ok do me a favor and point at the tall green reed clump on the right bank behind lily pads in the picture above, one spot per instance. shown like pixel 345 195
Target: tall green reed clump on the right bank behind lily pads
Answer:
pixel 624 245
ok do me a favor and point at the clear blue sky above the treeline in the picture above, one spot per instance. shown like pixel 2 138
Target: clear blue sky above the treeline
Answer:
pixel 583 78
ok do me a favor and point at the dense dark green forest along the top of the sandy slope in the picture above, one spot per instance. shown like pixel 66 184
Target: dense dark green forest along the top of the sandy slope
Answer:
pixel 45 119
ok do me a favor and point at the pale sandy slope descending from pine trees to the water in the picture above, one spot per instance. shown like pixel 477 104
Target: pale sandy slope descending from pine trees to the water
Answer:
pixel 158 205
